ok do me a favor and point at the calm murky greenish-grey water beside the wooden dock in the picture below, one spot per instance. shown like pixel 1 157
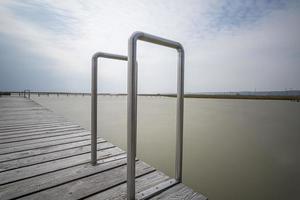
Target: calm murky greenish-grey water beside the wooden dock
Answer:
pixel 233 149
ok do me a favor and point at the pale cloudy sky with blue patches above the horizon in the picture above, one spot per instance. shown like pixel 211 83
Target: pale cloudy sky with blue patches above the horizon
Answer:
pixel 230 45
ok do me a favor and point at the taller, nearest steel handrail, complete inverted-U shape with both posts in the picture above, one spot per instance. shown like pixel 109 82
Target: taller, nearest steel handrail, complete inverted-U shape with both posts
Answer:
pixel 132 106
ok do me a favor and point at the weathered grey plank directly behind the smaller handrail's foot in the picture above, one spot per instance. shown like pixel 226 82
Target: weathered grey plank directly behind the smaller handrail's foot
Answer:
pixel 36 170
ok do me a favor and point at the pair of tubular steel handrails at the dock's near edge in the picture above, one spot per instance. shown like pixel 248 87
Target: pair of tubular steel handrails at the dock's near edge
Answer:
pixel 132 105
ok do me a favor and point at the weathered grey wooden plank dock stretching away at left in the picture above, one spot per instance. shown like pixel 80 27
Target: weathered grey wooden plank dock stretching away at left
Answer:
pixel 44 156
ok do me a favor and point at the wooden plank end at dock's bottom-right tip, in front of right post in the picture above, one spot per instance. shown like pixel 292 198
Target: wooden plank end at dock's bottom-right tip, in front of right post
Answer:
pixel 179 192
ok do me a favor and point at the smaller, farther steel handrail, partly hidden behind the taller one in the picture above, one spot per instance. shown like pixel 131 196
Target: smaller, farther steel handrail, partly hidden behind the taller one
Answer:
pixel 94 99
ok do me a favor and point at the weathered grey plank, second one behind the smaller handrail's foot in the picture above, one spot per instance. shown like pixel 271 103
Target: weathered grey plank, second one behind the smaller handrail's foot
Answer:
pixel 14 164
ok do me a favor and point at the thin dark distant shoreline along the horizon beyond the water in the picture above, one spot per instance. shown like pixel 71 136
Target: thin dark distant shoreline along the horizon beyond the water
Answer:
pixel 204 96
